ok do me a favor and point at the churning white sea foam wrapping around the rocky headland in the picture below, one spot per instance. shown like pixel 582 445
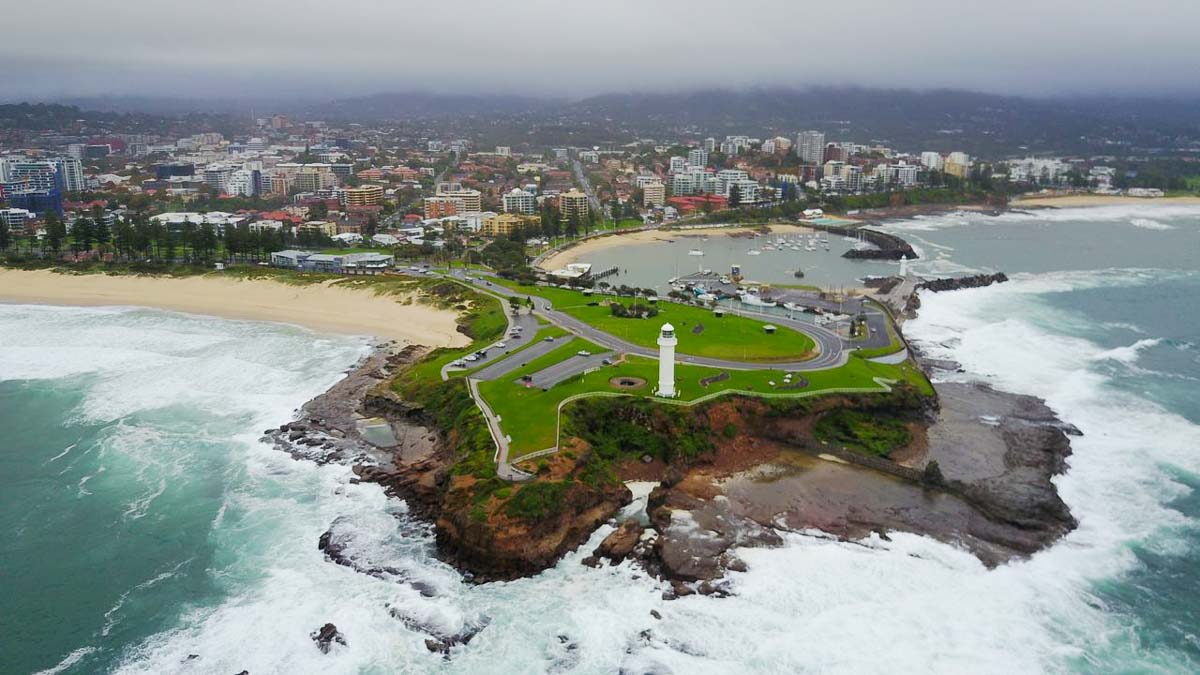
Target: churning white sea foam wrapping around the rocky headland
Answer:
pixel 813 605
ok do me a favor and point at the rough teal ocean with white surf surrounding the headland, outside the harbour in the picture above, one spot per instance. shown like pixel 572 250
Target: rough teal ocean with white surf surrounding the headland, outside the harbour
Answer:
pixel 148 530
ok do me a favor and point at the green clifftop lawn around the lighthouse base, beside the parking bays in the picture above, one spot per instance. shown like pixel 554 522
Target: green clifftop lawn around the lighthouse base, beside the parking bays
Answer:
pixel 531 416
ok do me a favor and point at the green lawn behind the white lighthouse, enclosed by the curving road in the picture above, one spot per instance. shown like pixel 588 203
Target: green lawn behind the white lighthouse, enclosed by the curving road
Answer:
pixel 729 337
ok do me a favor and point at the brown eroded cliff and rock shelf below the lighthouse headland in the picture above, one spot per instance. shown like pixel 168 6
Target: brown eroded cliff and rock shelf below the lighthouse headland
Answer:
pixel 731 474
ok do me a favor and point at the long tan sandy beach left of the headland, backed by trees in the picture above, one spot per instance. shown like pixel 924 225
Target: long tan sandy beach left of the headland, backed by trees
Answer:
pixel 317 307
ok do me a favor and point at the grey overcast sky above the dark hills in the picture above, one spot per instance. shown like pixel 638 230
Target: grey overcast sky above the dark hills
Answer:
pixel 247 49
